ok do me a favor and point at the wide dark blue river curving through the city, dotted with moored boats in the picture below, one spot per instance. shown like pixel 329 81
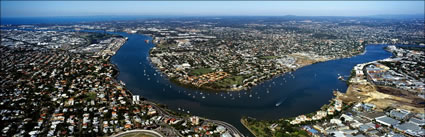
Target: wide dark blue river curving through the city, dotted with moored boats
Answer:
pixel 302 91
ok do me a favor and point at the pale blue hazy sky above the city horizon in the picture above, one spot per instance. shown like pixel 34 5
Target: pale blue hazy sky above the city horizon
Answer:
pixel 208 8
